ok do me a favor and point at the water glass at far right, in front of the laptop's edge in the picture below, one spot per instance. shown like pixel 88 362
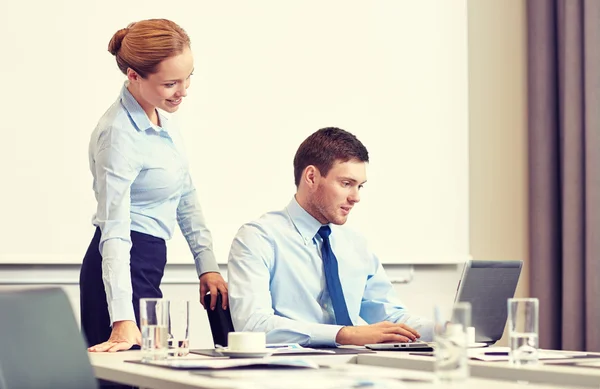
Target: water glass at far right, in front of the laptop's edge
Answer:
pixel 523 330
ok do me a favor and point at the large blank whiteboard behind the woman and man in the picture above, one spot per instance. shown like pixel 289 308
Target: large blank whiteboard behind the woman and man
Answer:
pixel 267 74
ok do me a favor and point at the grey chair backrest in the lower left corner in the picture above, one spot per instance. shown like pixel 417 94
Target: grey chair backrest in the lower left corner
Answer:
pixel 40 343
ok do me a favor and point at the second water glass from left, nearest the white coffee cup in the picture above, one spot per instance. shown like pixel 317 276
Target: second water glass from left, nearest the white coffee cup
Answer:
pixel 179 327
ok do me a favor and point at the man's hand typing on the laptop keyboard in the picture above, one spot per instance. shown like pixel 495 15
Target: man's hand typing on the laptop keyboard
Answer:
pixel 384 332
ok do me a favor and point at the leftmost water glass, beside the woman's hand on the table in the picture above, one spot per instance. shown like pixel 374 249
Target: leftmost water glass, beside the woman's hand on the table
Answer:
pixel 154 323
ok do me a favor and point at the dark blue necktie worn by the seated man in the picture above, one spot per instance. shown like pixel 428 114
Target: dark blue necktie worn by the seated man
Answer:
pixel 332 278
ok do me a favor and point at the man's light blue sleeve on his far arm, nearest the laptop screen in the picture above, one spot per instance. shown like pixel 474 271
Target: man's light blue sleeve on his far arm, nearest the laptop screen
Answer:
pixel 380 303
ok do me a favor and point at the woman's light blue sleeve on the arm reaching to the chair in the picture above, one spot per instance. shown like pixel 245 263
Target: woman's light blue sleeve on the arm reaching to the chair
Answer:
pixel 193 226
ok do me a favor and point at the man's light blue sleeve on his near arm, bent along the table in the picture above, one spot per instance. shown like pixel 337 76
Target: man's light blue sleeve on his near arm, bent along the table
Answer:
pixel 250 259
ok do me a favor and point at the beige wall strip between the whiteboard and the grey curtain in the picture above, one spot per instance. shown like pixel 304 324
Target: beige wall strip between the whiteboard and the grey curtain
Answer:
pixel 498 132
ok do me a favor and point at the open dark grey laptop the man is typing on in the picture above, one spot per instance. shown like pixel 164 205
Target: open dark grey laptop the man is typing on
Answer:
pixel 486 285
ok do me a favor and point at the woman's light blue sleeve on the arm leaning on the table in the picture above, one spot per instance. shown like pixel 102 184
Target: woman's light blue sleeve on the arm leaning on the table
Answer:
pixel 115 172
